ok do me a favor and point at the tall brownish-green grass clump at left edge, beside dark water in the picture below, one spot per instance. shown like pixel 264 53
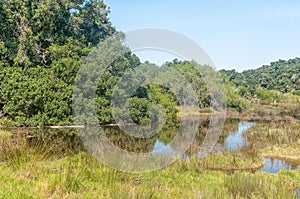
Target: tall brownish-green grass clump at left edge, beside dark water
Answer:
pixel 16 150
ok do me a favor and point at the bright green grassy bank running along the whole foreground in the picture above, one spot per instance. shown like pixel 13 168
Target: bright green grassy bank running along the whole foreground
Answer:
pixel 36 172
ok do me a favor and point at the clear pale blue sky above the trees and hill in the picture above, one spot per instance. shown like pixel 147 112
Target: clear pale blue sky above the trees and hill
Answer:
pixel 235 34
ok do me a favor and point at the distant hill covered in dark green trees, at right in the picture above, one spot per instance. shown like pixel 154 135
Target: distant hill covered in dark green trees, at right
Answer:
pixel 281 75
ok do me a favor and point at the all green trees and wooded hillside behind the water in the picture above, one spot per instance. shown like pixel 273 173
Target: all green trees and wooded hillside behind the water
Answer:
pixel 42 46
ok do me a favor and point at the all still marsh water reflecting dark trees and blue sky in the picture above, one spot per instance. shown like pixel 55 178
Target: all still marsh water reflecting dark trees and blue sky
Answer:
pixel 231 139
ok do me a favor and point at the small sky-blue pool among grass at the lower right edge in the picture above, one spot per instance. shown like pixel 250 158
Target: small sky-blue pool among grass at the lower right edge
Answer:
pixel 274 166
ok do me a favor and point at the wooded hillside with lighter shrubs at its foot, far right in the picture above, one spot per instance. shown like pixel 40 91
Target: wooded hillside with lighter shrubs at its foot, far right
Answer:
pixel 265 85
